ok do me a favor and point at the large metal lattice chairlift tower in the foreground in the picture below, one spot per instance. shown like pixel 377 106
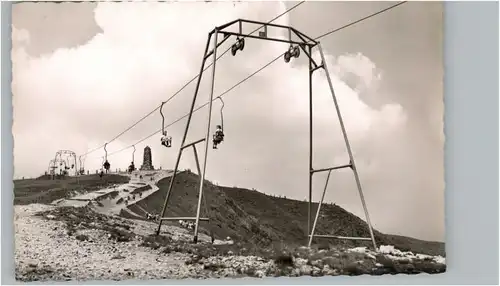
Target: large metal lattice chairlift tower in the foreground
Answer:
pixel 297 41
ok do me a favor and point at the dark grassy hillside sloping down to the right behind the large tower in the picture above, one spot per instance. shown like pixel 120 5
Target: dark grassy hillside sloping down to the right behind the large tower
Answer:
pixel 250 216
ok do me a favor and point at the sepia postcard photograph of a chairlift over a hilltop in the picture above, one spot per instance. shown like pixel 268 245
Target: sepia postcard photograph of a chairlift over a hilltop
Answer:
pixel 227 139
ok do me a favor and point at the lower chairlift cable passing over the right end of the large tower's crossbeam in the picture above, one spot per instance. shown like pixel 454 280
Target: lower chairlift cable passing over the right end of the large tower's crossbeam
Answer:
pixel 260 69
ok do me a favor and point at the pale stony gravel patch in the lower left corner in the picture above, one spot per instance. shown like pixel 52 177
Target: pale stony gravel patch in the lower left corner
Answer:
pixel 48 250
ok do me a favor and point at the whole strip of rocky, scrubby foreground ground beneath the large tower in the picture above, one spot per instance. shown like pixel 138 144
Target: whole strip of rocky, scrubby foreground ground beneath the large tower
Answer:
pixel 68 243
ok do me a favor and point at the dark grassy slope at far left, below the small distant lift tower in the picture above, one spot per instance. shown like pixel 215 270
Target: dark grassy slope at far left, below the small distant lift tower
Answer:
pixel 45 191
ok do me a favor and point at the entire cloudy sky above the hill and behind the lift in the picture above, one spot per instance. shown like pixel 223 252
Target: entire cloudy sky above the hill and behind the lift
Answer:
pixel 83 73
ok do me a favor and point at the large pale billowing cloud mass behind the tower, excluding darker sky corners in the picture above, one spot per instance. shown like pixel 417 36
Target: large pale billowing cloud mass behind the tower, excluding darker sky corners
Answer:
pixel 77 98
